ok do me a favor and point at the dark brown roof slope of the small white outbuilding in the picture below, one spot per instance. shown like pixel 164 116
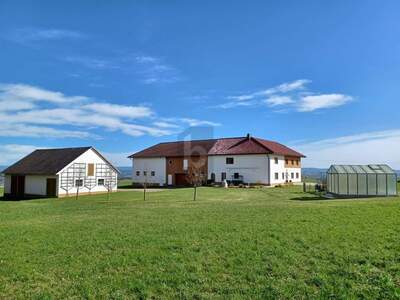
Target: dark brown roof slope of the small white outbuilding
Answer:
pixel 45 161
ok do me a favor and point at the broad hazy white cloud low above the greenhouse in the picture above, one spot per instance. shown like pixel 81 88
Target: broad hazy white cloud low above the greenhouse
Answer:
pixel 366 148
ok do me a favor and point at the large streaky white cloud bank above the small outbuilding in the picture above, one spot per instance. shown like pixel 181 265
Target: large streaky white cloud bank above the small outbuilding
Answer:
pixel 29 118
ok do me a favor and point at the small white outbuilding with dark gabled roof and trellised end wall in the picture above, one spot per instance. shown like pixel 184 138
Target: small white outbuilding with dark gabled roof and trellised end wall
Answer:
pixel 59 173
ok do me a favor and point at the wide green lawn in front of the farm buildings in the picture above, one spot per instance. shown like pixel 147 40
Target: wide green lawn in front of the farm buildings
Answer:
pixel 236 243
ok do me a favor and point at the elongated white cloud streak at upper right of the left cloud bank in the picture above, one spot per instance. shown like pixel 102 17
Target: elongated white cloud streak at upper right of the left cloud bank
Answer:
pixel 132 112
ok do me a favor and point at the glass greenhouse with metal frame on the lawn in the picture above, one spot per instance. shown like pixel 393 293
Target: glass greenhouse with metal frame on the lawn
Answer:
pixel 361 180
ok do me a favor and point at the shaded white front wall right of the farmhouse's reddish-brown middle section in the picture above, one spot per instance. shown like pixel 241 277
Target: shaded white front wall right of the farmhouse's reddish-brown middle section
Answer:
pixel 253 168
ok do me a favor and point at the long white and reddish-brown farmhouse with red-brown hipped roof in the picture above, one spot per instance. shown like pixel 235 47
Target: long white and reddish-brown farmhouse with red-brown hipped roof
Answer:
pixel 237 160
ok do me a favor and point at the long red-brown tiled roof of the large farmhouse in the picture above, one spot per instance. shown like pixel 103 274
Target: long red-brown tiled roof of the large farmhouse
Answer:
pixel 224 146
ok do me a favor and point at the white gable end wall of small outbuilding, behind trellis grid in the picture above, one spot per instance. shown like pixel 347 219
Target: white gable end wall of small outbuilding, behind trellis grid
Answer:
pixel 89 157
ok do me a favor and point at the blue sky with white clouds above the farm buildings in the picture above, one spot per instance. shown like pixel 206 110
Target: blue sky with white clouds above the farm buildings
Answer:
pixel 320 77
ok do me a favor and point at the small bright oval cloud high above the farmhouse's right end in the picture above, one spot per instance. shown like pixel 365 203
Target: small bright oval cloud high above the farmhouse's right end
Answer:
pixel 315 102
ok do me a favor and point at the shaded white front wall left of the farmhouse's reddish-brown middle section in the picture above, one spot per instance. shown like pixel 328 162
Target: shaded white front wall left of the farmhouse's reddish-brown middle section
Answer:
pixel 156 164
